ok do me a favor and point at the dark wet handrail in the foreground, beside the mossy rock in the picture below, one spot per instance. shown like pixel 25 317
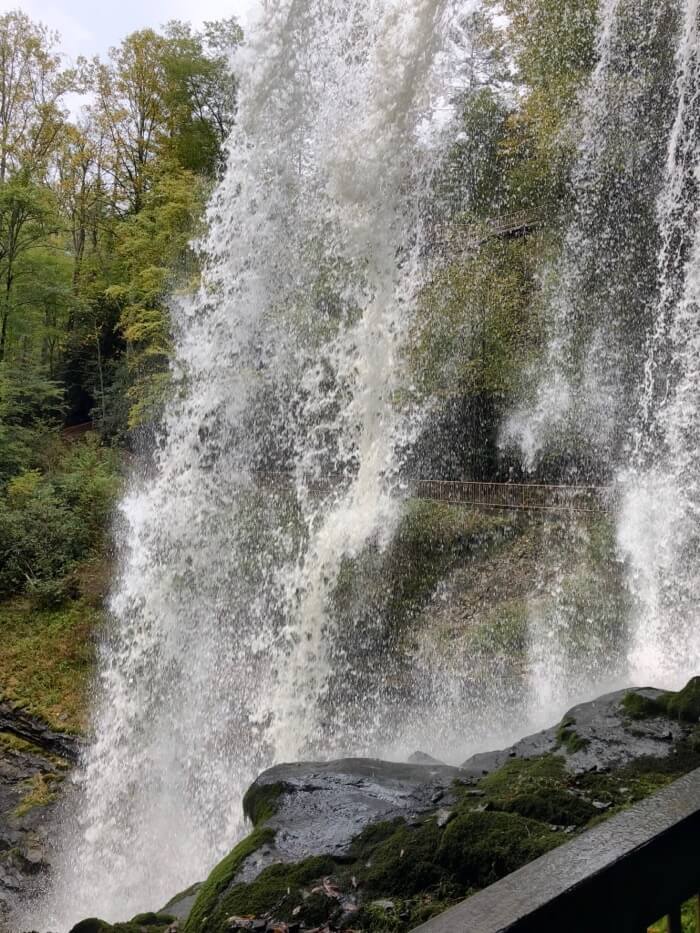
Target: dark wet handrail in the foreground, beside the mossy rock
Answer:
pixel 619 877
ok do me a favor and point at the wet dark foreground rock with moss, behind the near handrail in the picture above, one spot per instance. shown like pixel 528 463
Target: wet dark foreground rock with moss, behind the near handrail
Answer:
pixel 360 844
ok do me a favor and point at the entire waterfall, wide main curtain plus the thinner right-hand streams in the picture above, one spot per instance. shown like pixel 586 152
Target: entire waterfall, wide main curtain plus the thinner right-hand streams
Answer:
pixel 281 454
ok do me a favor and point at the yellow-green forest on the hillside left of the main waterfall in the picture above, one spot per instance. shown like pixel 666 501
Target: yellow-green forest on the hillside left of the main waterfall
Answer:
pixel 105 169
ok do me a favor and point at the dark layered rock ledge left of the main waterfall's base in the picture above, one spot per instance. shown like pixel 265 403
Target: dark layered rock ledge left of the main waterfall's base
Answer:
pixel 33 763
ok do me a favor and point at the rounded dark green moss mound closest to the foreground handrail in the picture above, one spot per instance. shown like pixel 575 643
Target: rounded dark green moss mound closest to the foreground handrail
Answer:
pixel 479 848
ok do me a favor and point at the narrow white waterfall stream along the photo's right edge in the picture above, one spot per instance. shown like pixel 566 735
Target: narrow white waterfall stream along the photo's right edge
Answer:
pixel 659 529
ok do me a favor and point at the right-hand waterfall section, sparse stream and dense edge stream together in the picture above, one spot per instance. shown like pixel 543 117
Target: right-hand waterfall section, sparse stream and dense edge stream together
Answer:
pixel 619 386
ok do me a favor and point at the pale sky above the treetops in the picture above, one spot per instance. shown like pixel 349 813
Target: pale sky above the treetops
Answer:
pixel 90 27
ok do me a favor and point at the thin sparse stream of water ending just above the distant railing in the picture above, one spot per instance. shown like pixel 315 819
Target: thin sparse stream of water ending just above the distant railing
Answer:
pixel 599 292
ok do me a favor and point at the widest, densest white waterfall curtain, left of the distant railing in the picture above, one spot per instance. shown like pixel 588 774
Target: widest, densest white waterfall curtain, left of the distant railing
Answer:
pixel 220 660
